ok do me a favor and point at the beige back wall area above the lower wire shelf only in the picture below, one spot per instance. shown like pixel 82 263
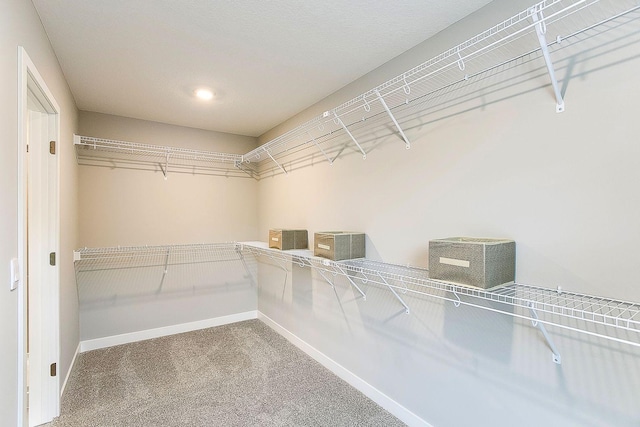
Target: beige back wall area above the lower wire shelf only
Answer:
pixel 132 207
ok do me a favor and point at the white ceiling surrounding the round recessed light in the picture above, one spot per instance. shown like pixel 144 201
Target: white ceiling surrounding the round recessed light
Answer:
pixel 265 60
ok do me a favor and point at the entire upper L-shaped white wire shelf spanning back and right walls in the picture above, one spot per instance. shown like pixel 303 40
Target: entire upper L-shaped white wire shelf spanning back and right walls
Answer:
pixel 531 36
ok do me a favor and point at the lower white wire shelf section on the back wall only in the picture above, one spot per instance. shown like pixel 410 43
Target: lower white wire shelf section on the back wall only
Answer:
pixel 121 257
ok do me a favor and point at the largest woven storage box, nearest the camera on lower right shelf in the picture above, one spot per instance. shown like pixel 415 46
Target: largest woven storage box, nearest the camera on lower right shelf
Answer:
pixel 480 262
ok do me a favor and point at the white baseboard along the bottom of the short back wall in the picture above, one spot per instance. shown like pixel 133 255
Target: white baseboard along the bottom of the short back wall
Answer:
pixel 104 342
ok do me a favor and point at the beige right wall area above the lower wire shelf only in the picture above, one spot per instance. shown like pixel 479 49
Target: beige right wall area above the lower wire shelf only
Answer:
pixel 499 163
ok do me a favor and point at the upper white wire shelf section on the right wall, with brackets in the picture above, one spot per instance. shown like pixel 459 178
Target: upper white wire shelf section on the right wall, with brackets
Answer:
pixel 395 101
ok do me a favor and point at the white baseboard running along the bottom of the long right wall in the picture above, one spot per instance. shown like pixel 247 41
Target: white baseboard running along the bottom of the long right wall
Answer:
pixel 399 411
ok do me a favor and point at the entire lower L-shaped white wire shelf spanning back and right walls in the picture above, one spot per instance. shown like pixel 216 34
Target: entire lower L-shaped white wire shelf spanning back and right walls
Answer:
pixel 606 318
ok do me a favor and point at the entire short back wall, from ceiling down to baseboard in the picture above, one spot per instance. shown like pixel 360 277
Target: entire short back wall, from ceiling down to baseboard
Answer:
pixel 125 207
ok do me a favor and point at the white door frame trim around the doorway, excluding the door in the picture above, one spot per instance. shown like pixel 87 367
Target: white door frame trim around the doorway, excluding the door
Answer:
pixel 29 79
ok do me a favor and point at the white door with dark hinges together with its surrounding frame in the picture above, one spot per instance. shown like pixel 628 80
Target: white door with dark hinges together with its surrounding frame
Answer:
pixel 39 238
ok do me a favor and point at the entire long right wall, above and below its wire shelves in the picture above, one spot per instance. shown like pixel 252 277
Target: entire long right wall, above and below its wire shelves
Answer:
pixel 498 162
